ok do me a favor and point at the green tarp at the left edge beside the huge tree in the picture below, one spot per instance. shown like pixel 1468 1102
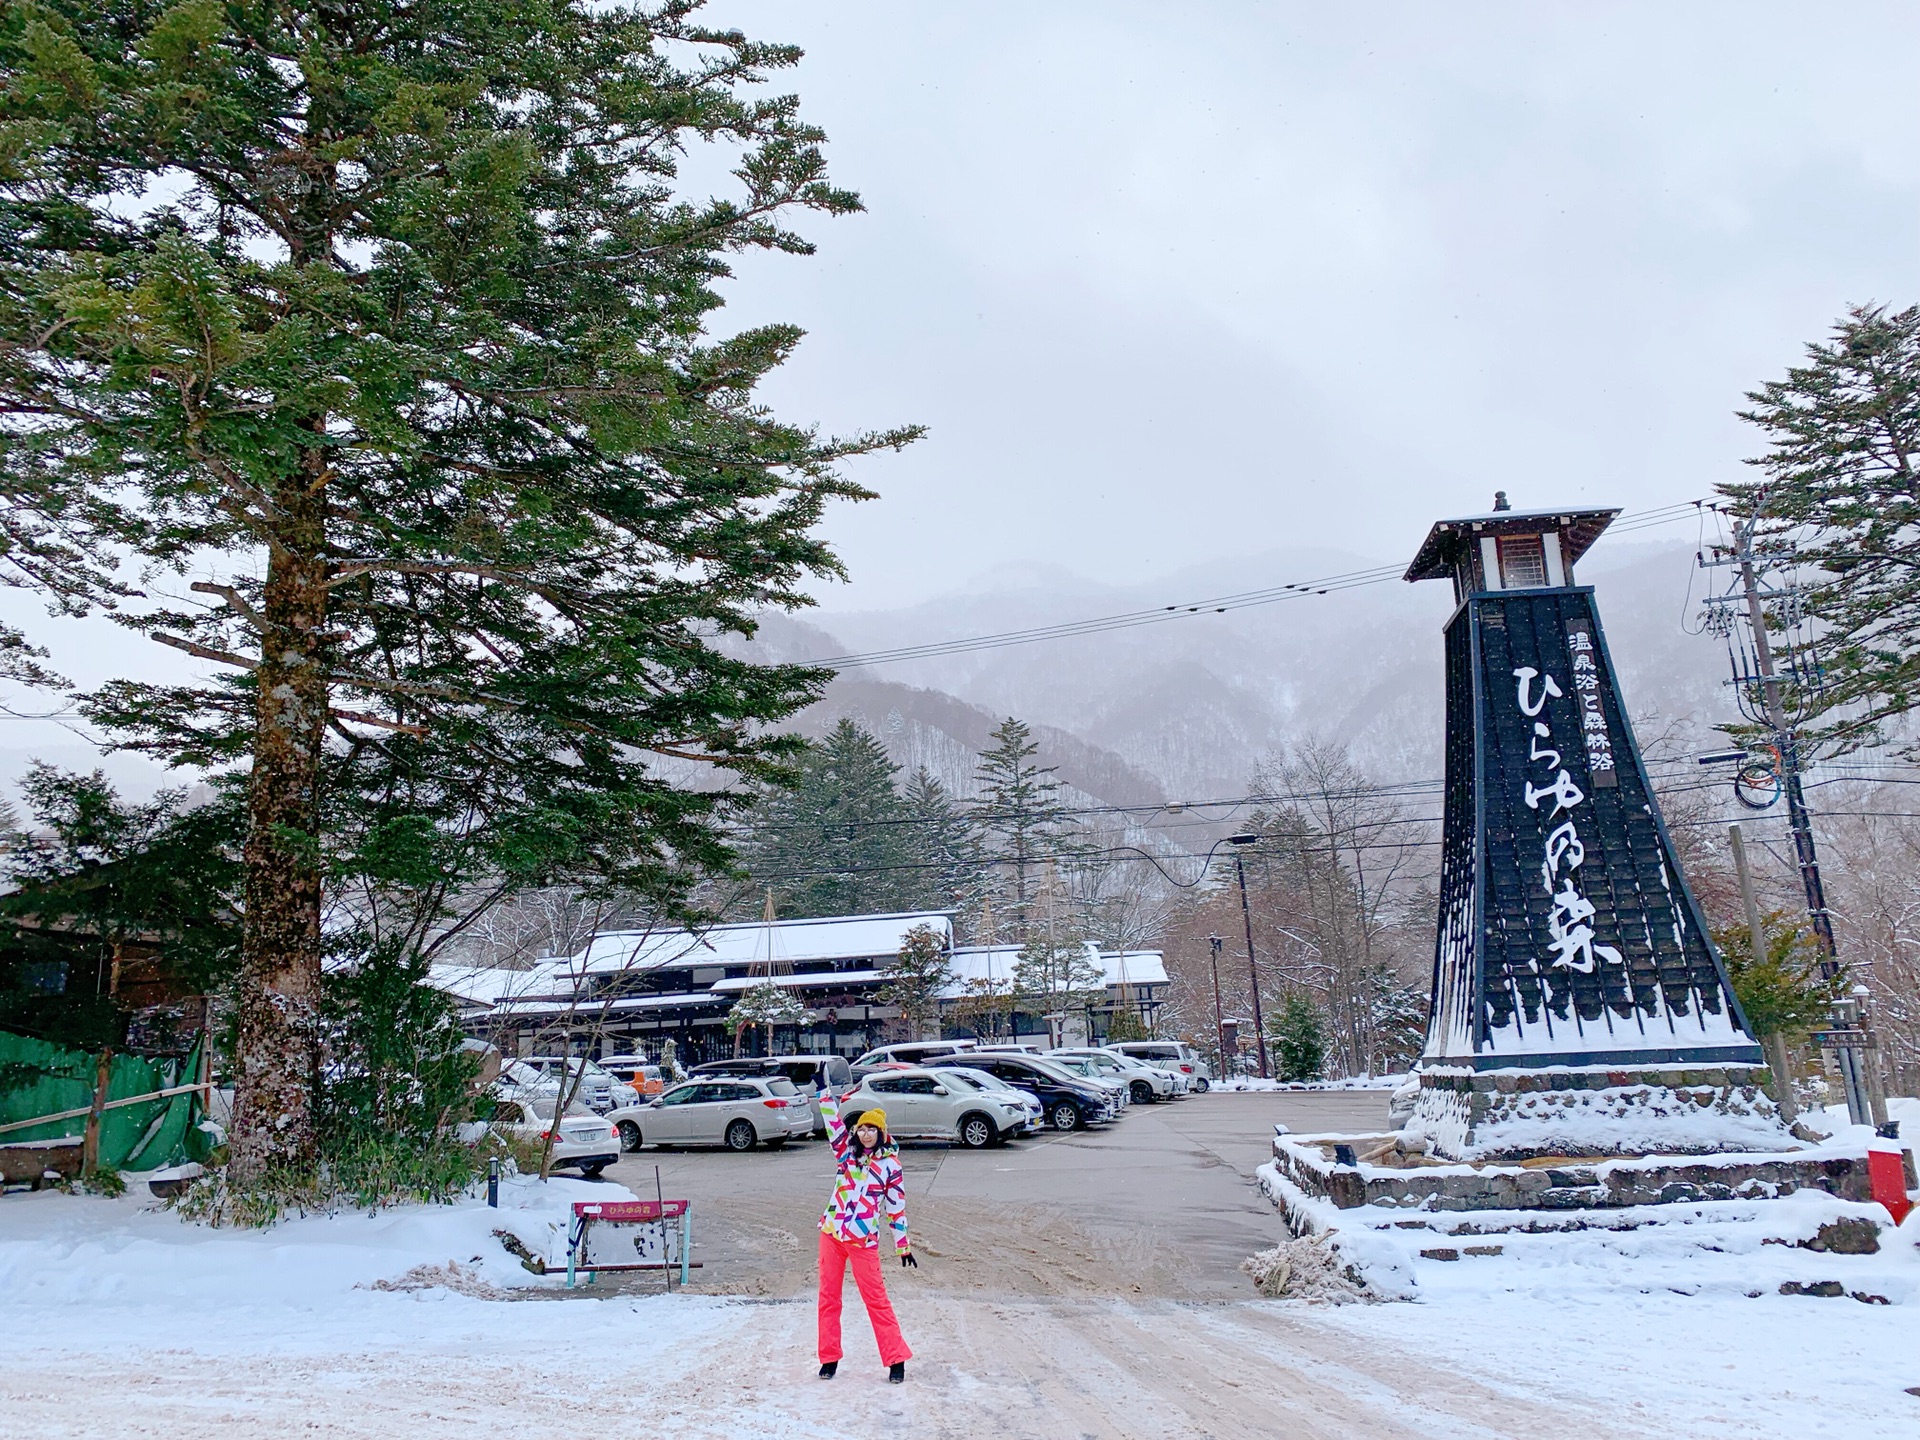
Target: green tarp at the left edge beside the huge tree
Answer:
pixel 43 1080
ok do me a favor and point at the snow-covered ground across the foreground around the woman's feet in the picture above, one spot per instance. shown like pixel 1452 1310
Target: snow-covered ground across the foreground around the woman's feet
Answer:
pixel 116 1318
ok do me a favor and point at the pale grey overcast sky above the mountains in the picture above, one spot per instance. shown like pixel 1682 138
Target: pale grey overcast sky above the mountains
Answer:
pixel 1186 281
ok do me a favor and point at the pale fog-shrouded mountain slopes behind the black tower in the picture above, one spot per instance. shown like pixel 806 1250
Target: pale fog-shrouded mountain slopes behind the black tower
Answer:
pixel 1186 709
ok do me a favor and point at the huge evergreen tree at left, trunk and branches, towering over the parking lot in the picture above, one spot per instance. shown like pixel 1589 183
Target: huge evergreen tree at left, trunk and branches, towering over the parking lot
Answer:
pixel 408 348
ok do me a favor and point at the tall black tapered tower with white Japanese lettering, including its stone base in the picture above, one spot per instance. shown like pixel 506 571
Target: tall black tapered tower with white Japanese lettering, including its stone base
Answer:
pixel 1577 1001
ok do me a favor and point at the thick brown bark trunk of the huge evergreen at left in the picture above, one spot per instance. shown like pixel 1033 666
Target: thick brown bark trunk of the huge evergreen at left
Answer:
pixel 277 1057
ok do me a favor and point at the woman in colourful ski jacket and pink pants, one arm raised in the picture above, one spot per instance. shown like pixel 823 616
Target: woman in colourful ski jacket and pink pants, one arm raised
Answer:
pixel 869 1186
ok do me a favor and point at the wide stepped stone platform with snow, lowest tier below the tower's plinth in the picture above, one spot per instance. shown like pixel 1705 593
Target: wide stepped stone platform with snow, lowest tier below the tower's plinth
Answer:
pixel 1404 1226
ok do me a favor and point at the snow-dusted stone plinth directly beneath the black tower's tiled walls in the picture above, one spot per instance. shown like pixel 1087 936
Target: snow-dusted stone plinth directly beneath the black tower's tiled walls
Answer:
pixel 1595 1111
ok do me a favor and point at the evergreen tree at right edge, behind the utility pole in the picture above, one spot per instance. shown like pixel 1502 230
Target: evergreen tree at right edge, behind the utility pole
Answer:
pixel 1838 489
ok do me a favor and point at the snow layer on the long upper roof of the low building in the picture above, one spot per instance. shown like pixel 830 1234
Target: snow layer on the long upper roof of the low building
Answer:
pixel 792 942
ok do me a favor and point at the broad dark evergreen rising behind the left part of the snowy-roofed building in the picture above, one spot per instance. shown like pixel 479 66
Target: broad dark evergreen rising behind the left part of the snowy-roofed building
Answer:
pixel 838 840
